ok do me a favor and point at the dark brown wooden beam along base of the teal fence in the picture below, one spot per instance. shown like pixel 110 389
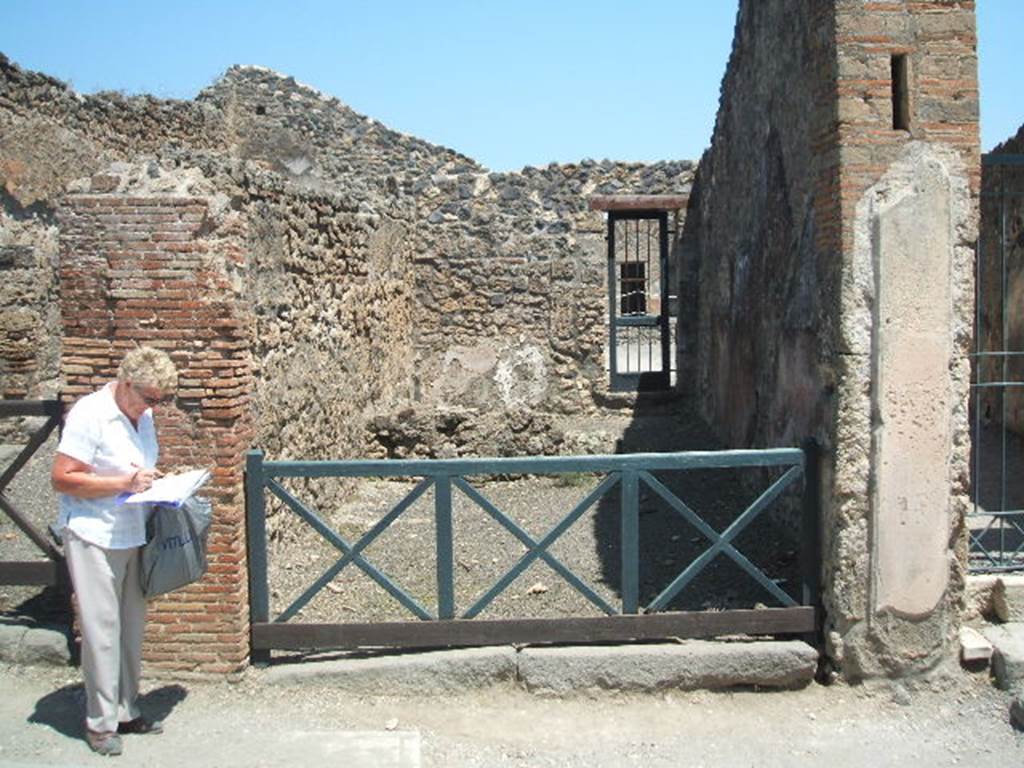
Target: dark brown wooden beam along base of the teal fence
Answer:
pixel 795 621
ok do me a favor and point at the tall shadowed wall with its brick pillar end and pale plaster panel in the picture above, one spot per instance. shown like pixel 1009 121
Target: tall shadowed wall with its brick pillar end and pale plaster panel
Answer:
pixel 820 220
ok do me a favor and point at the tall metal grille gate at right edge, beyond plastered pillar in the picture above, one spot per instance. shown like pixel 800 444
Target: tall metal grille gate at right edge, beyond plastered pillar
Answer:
pixel 997 520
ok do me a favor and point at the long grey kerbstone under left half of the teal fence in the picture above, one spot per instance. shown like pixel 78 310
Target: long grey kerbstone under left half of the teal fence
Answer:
pixel 428 673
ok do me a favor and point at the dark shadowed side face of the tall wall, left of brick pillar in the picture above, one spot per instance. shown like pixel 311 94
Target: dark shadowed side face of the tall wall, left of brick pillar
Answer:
pixel 766 237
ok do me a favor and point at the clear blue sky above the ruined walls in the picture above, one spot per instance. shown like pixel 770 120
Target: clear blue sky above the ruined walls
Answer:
pixel 508 82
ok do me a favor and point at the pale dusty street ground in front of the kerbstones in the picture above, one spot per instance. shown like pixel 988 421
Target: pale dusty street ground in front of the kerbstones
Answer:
pixel 958 719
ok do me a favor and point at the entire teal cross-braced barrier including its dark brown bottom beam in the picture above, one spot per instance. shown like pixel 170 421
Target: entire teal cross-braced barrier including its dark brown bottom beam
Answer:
pixel 451 627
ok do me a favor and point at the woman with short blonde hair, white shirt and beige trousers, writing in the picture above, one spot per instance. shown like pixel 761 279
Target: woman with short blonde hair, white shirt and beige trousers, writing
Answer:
pixel 109 448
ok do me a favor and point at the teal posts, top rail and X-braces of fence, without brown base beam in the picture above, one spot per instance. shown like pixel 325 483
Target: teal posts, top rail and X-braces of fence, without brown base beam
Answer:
pixel 629 473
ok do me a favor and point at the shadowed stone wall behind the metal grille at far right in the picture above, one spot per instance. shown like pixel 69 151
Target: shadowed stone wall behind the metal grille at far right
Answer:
pixel 1001 288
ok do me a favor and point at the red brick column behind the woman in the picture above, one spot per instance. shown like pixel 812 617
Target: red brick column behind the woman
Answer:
pixel 147 270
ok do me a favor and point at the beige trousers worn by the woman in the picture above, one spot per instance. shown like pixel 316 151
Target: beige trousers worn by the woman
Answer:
pixel 112 620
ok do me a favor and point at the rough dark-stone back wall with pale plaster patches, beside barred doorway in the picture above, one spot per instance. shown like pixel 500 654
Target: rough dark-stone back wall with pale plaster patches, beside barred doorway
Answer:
pixel 508 270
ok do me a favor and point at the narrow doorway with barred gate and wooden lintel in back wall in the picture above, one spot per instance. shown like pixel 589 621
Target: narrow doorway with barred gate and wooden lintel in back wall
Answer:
pixel 643 292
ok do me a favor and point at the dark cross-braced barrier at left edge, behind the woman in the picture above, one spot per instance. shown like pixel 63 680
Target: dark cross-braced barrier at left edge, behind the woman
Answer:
pixel 52 571
